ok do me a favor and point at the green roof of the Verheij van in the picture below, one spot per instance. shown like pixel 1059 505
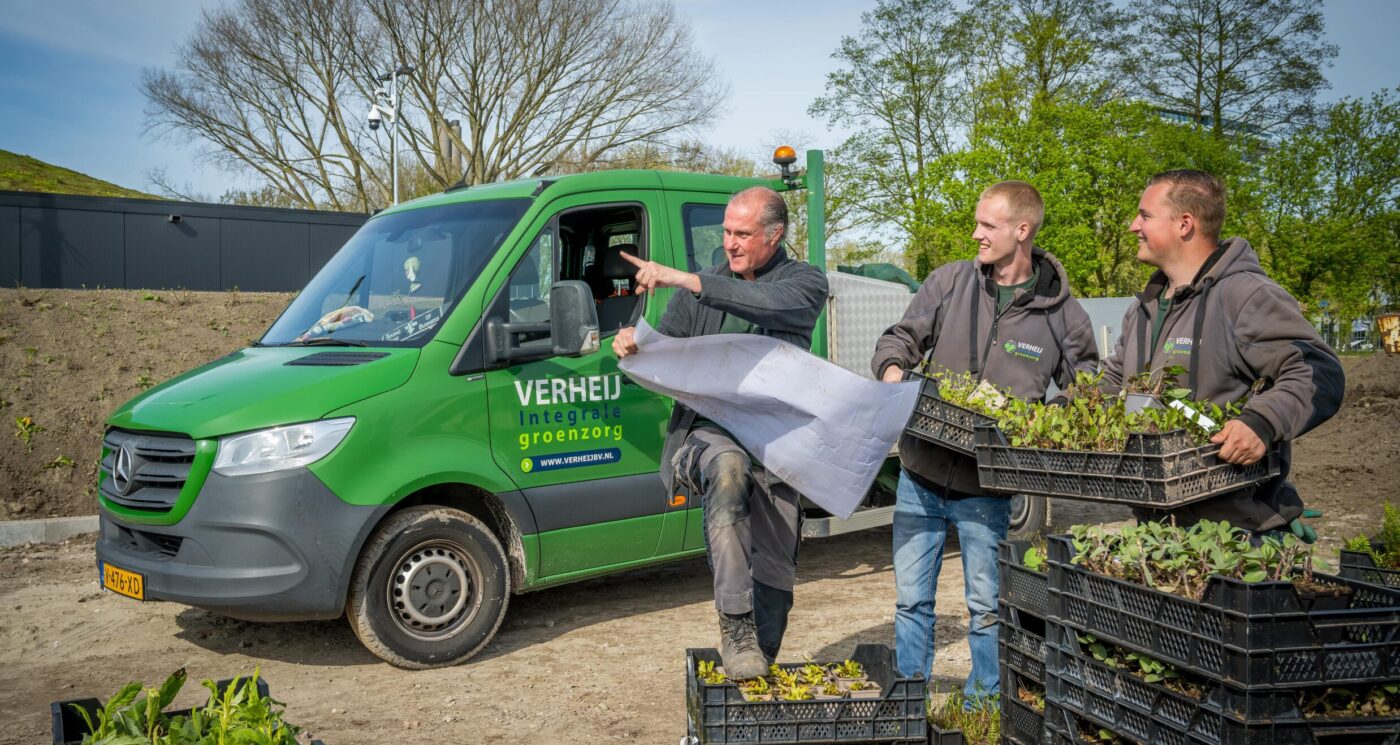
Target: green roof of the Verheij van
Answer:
pixel 596 181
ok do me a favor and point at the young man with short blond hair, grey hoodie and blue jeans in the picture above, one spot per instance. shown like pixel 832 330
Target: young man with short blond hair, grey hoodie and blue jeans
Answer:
pixel 1006 319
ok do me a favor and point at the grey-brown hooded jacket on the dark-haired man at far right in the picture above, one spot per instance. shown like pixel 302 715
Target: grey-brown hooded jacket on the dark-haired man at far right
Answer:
pixel 1231 327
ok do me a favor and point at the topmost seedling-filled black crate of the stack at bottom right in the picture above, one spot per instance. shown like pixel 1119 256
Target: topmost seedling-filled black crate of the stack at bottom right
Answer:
pixel 1207 601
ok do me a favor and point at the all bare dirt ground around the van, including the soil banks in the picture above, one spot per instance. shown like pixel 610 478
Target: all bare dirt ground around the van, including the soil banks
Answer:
pixel 597 662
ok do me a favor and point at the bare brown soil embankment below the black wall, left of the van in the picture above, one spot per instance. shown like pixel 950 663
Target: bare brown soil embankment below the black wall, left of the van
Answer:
pixel 73 356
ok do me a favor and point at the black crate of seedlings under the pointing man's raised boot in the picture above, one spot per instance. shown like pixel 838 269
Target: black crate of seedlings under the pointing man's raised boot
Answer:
pixel 860 699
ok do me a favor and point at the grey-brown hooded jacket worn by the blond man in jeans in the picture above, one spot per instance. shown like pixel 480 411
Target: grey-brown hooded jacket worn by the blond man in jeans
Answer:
pixel 1042 335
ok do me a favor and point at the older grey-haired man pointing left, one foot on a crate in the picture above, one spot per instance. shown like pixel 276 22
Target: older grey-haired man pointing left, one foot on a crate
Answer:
pixel 751 517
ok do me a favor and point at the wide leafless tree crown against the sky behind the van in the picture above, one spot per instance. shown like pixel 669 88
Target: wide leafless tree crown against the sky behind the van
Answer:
pixel 278 89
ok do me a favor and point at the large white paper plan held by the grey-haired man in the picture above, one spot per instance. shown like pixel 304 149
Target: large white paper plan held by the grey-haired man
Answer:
pixel 820 428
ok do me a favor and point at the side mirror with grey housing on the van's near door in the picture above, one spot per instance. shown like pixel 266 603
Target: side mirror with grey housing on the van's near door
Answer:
pixel 573 328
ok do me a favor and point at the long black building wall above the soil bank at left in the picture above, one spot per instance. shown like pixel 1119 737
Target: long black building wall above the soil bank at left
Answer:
pixel 89 242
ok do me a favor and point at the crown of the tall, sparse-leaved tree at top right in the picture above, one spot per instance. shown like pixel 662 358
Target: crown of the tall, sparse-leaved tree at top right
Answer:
pixel 1244 64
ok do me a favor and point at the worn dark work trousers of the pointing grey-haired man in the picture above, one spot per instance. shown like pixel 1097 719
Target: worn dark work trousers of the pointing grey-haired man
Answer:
pixel 752 523
